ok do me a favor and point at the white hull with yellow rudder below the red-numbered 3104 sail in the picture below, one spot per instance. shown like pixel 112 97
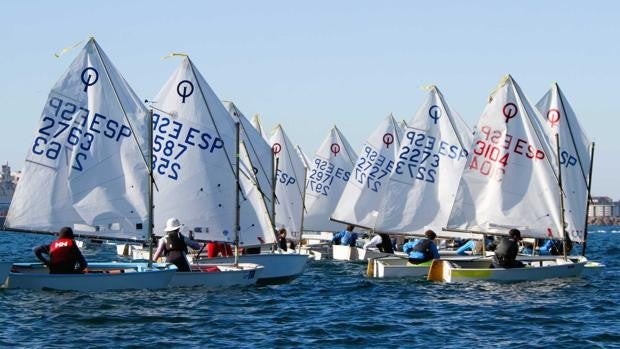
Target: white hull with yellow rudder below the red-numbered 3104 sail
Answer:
pixel 451 271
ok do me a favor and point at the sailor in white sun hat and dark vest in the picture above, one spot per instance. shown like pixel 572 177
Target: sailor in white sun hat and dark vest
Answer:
pixel 174 245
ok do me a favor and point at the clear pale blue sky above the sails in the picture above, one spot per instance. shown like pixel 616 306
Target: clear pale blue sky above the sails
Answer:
pixel 311 65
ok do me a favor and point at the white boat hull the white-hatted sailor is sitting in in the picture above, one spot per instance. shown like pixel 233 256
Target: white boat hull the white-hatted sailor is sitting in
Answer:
pixel 218 275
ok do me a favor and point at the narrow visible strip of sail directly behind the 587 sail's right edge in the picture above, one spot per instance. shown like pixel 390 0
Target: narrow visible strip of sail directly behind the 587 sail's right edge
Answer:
pixel 259 151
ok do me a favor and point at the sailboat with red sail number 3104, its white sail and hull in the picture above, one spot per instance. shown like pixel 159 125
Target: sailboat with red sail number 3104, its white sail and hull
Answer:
pixel 510 181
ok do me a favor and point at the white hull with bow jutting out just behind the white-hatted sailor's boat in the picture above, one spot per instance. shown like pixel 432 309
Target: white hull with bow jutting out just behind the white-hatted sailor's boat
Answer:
pixel 278 268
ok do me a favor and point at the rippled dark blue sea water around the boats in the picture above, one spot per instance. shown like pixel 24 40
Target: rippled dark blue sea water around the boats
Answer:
pixel 332 305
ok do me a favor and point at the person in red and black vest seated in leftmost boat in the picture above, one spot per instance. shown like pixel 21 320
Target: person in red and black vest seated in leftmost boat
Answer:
pixel 64 254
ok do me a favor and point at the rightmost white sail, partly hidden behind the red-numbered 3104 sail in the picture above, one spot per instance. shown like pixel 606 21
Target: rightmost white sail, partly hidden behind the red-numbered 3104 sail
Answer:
pixel 558 117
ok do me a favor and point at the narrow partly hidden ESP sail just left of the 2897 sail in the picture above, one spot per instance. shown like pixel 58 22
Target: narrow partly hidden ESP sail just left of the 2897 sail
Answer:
pixel 290 172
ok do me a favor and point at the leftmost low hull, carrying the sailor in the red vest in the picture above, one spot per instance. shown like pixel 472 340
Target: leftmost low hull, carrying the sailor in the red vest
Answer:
pixel 101 277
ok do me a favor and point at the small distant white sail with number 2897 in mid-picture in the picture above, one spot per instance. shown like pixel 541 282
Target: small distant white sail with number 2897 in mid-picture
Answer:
pixel 327 175
